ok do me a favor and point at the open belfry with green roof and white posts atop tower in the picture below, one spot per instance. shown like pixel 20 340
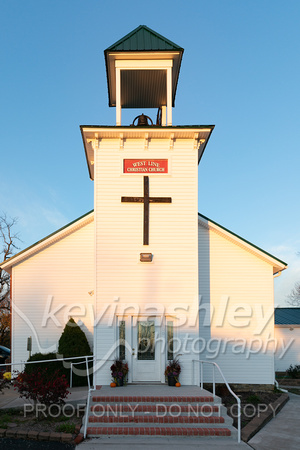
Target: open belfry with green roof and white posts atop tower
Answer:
pixel 142 72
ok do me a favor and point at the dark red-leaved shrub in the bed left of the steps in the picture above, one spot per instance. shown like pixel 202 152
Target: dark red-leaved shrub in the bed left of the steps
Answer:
pixel 42 387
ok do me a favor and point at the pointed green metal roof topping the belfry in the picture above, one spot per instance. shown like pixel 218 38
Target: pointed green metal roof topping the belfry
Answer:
pixel 143 38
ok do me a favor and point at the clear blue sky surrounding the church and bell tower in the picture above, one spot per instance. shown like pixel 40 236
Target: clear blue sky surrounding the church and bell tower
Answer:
pixel 240 71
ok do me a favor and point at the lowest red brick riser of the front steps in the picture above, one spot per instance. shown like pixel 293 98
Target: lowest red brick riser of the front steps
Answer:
pixel 158 431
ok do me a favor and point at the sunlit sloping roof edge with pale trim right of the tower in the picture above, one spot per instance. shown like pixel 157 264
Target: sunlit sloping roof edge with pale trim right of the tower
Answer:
pixel 278 265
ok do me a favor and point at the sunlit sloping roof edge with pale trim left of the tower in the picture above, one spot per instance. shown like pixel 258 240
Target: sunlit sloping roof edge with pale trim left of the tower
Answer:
pixel 83 220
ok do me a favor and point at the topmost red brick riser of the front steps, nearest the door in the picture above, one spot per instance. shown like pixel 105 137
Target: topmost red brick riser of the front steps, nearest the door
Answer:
pixel 151 399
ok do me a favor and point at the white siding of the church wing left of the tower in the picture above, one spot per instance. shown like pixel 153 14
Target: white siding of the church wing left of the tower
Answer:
pixel 65 271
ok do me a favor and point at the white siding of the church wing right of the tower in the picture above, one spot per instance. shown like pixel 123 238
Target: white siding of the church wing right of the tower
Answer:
pixel 226 270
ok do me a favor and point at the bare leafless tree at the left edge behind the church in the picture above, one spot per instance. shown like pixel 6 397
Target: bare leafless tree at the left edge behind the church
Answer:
pixel 8 239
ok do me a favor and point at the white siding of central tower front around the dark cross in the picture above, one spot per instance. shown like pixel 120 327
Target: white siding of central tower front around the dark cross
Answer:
pixel 172 278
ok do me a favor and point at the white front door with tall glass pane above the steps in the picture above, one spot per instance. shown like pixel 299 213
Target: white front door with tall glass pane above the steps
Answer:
pixel 146 350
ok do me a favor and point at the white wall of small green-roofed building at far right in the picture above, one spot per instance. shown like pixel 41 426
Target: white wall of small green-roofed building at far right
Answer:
pixel 288 347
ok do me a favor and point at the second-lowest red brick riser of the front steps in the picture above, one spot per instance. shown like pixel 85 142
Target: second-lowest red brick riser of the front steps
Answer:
pixel 156 419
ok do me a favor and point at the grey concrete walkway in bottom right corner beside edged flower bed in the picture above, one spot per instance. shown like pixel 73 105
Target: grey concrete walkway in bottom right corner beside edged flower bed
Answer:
pixel 283 431
